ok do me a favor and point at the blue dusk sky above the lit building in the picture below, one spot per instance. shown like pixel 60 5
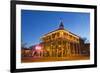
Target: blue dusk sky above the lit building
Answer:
pixel 34 24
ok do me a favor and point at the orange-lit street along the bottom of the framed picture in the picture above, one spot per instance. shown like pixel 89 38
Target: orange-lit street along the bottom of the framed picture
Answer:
pixel 46 59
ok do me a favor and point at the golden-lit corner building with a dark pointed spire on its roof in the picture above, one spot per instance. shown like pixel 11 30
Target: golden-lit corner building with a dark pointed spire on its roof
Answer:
pixel 61 43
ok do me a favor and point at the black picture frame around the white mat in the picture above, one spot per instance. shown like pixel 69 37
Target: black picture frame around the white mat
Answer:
pixel 13 35
